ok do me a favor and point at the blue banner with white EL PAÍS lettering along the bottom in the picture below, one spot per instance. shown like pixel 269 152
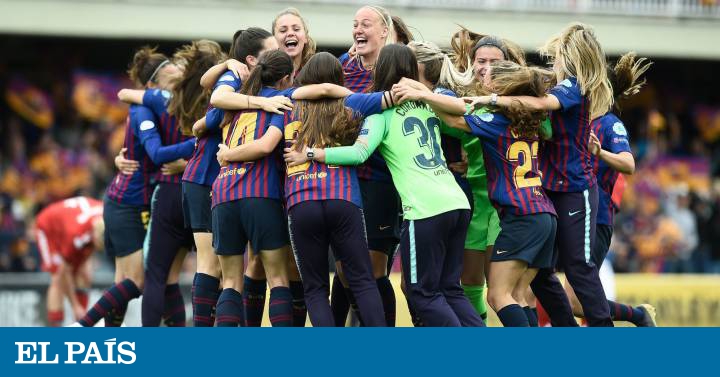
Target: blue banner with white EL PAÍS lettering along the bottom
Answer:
pixel 356 351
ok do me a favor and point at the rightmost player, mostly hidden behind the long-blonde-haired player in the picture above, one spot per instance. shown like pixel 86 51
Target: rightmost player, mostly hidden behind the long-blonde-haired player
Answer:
pixel 610 145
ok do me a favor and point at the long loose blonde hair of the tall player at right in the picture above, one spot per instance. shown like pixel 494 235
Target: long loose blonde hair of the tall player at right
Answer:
pixel 582 57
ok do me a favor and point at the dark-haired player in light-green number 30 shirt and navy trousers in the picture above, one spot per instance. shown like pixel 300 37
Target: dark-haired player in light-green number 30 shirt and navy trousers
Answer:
pixel 436 211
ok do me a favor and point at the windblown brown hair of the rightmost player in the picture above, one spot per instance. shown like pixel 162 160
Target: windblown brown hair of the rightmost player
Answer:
pixel 625 76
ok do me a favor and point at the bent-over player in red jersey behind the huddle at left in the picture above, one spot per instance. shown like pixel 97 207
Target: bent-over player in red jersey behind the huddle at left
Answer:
pixel 67 233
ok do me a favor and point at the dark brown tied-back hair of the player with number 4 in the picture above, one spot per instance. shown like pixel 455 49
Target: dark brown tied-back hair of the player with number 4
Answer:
pixel 271 68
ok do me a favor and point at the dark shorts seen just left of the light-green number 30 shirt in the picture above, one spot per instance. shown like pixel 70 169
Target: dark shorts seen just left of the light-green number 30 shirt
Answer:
pixel 381 205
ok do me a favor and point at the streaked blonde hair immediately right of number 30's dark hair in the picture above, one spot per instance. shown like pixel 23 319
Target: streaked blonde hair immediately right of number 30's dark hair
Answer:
pixel 439 68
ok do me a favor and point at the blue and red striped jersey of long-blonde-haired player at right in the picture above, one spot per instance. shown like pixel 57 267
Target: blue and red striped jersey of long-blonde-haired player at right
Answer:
pixel 565 160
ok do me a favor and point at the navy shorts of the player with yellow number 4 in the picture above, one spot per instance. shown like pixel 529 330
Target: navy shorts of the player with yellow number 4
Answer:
pixel 260 221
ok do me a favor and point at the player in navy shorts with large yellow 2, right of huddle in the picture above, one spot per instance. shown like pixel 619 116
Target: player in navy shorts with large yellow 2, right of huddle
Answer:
pixel 510 145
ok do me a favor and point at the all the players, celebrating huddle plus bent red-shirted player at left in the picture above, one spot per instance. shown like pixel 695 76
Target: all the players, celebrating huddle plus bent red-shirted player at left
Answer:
pixel 473 165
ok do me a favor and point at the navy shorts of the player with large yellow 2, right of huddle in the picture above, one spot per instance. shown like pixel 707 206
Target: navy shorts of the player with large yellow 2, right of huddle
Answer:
pixel 529 238
